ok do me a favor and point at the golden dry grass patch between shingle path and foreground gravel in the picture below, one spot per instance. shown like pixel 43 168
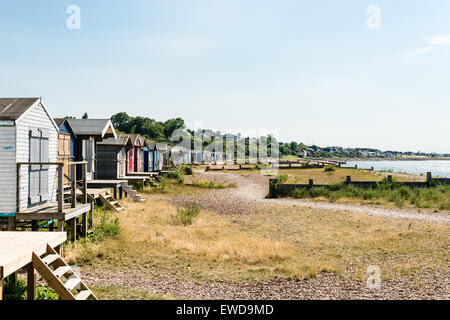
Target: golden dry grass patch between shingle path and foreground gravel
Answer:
pixel 292 243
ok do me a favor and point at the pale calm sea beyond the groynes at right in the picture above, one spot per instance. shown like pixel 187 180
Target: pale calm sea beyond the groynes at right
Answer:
pixel 436 167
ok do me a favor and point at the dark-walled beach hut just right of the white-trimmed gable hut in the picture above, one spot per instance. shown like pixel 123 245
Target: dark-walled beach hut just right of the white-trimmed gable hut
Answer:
pixel 112 157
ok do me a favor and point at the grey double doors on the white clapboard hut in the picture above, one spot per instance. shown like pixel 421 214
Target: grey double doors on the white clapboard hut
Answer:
pixel 38 174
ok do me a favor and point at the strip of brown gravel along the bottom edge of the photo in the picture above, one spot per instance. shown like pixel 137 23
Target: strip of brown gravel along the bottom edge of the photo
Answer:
pixel 327 286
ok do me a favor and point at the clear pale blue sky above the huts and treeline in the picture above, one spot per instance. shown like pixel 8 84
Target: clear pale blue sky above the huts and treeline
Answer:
pixel 311 69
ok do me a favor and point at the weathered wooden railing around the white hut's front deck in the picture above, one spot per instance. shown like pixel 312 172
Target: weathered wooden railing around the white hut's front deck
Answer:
pixel 74 184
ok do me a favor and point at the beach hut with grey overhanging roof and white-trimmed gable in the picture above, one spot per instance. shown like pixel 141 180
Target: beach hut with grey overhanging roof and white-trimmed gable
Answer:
pixel 87 133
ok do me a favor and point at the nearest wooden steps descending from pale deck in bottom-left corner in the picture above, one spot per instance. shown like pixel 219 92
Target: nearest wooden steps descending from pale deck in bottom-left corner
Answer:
pixel 61 277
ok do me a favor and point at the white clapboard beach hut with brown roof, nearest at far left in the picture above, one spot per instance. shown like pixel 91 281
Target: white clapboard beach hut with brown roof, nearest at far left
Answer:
pixel 27 134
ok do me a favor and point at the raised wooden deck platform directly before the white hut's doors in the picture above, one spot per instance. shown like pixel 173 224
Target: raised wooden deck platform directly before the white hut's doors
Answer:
pixel 50 211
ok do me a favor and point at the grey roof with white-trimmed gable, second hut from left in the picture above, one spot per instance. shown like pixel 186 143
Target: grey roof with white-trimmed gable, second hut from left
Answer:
pixel 93 127
